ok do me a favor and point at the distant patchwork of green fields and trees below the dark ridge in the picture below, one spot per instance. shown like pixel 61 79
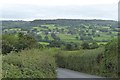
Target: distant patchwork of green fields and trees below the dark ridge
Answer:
pixel 68 33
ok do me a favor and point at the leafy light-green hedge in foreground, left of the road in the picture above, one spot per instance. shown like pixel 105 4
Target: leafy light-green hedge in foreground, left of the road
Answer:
pixel 29 64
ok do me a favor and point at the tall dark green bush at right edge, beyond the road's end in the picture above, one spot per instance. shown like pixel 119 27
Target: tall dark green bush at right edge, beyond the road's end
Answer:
pixel 109 63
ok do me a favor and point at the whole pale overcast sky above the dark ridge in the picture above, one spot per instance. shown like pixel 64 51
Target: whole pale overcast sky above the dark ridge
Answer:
pixel 58 9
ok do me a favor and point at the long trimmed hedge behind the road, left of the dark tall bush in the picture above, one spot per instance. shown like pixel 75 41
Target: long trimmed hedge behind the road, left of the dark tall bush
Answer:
pixel 81 60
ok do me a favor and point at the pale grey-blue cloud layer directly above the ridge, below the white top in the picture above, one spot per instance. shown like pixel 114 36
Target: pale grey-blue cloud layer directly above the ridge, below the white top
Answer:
pixel 33 11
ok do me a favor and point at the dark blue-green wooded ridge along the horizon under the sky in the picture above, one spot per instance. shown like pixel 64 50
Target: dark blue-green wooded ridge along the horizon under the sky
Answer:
pixel 61 22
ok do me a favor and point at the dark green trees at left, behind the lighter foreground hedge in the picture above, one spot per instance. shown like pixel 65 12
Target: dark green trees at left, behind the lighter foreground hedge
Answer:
pixel 17 42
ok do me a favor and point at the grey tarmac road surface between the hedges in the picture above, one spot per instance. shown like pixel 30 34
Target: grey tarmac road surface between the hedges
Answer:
pixel 65 73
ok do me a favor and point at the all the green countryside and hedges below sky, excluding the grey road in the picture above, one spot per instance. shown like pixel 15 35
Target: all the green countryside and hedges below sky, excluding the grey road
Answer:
pixel 34 49
